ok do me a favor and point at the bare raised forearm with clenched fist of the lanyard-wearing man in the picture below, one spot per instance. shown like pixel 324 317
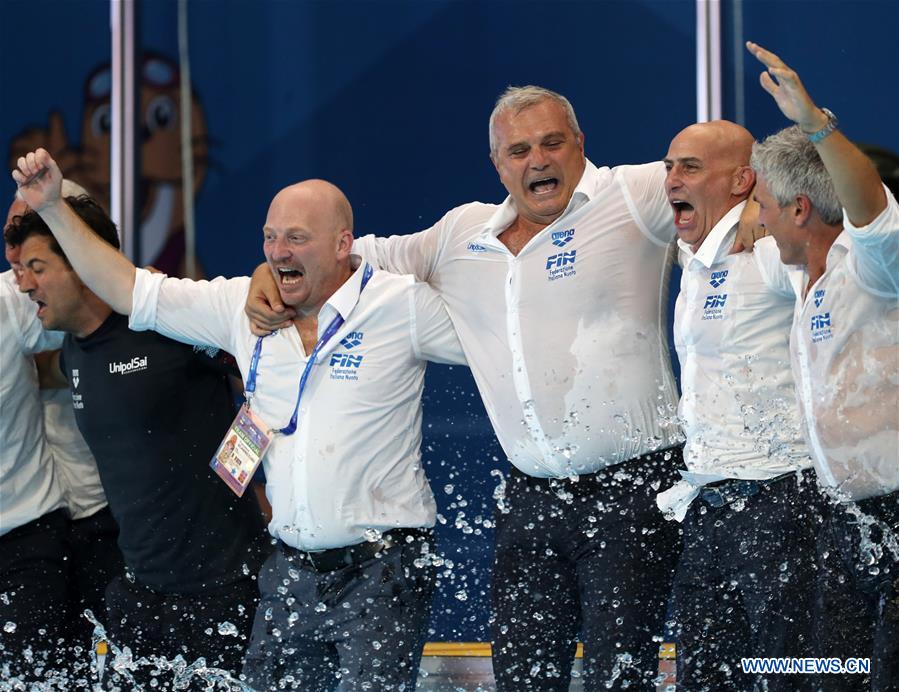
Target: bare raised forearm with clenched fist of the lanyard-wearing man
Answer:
pixel 105 270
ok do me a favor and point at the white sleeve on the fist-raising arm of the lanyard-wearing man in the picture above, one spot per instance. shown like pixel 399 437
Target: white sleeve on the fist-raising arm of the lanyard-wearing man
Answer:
pixel 194 312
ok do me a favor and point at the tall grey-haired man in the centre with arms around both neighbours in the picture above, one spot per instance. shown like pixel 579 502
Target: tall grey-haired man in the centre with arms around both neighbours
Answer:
pixel 566 341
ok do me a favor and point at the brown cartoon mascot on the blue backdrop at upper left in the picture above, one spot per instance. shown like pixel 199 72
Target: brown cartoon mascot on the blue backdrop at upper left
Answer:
pixel 161 197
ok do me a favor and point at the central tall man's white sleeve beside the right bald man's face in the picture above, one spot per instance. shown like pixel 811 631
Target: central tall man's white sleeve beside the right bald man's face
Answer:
pixel 644 191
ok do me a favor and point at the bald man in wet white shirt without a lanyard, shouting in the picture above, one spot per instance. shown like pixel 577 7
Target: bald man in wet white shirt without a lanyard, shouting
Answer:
pixel 748 499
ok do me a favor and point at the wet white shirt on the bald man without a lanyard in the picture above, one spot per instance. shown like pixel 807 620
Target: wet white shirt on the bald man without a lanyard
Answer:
pixel 738 404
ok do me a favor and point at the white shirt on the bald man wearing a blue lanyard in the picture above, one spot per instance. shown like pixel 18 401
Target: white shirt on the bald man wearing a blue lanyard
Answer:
pixel 353 466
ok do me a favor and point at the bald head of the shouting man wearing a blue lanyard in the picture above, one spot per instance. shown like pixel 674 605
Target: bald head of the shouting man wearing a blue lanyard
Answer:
pixel 308 234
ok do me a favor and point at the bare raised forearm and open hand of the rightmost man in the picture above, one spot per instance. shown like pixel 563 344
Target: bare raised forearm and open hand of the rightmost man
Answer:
pixel 855 178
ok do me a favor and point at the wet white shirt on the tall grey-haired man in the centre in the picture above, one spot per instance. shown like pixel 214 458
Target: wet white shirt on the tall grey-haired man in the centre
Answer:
pixel 567 340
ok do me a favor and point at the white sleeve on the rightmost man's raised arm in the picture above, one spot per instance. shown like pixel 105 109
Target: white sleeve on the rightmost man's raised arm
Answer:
pixel 875 250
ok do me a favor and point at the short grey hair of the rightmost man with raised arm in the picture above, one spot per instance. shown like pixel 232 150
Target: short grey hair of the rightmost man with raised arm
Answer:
pixel 791 167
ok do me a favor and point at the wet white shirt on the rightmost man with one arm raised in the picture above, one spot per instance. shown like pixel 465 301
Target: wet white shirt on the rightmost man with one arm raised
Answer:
pixel 845 354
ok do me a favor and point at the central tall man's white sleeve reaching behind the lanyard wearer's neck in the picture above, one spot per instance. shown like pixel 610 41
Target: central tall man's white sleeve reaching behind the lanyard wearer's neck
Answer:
pixel 417 254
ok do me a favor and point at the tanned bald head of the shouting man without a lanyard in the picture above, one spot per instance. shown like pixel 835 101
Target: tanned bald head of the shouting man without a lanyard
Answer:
pixel 708 175
